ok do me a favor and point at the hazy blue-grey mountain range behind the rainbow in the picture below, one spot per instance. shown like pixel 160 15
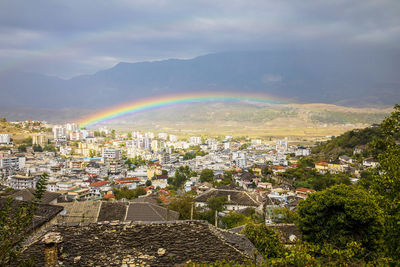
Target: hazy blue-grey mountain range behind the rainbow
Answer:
pixel 349 78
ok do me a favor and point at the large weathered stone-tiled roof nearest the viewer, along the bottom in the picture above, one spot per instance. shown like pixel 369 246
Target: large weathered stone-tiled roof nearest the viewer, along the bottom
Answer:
pixel 152 244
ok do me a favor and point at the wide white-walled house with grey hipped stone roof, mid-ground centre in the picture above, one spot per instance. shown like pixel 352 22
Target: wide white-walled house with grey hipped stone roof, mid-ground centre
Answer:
pixel 236 200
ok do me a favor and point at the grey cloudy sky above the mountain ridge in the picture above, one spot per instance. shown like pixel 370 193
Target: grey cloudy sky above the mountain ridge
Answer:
pixel 66 38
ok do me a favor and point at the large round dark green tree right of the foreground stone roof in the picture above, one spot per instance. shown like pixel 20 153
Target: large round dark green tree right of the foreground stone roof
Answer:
pixel 340 215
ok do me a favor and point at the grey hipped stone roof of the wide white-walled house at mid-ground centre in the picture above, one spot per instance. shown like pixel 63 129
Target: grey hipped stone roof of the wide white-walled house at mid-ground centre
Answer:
pixel 236 197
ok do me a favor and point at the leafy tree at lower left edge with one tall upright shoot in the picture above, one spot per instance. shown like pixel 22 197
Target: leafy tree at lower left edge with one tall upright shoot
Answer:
pixel 16 221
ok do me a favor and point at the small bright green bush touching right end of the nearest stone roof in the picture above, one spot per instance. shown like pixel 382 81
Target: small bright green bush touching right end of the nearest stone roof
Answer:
pixel 265 240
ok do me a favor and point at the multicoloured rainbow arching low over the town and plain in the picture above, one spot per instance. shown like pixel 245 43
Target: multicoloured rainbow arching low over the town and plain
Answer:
pixel 170 100
